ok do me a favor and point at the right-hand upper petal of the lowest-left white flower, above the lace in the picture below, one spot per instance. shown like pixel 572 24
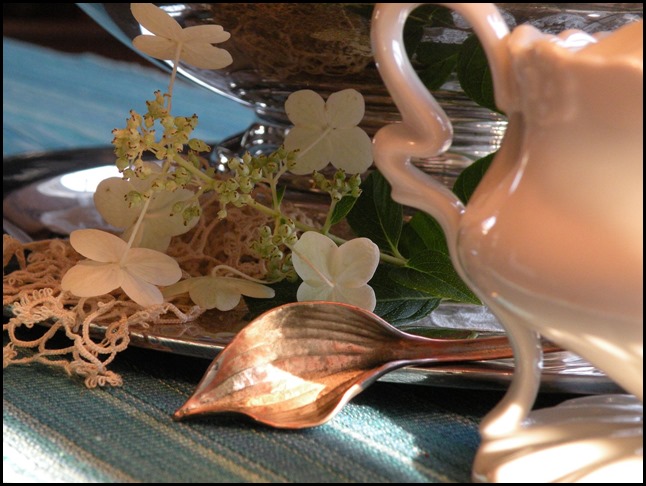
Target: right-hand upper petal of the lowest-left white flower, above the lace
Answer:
pixel 152 266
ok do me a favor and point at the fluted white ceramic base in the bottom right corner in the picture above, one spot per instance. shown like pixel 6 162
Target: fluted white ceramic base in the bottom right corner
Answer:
pixel 596 439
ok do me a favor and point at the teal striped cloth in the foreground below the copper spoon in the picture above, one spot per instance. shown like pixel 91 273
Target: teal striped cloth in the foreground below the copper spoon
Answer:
pixel 56 430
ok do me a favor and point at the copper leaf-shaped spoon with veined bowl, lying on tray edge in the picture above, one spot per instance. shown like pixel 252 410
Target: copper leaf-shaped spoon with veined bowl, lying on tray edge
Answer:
pixel 298 364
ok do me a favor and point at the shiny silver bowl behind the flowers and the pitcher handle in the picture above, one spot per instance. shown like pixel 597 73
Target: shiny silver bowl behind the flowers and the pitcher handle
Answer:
pixel 279 48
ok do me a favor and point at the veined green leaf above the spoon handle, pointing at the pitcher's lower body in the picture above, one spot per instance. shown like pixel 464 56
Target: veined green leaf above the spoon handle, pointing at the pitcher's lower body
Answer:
pixel 431 272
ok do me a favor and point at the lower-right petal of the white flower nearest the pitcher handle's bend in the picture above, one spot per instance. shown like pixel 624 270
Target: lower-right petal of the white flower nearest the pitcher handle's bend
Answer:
pixel 351 150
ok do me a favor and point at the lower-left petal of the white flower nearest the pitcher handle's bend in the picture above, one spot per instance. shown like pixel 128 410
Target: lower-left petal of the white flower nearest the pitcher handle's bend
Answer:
pixel 313 146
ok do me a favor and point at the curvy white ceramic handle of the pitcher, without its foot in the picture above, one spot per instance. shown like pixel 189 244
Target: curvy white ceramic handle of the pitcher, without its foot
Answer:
pixel 426 130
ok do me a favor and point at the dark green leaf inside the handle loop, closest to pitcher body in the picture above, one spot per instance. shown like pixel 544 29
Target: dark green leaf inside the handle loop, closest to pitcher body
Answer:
pixel 474 74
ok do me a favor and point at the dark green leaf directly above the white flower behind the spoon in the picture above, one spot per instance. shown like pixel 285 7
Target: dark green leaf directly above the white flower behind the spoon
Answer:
pixel 375 215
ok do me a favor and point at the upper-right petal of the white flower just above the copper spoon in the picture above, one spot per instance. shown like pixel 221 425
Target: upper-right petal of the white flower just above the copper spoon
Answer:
pixel 355 262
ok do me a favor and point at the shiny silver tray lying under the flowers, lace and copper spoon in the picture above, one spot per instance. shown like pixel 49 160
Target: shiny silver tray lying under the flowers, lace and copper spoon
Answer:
pixel 49 194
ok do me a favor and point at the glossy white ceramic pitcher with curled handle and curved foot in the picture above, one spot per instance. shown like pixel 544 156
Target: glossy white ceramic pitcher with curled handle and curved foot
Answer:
pixel 552 239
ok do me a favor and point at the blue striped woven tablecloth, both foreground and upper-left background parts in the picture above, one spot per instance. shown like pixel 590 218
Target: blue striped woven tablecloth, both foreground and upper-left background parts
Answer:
pixel 56 430
